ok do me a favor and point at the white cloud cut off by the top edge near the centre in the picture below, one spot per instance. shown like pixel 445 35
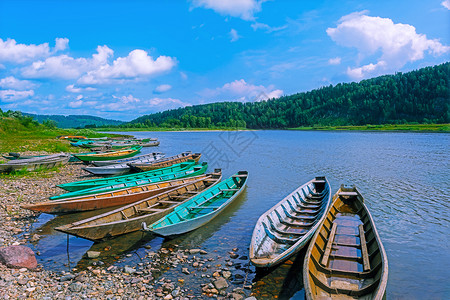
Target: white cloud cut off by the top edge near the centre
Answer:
pixel 244 9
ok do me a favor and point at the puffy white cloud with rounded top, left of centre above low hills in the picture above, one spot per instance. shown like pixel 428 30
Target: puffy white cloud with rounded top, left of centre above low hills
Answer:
pixel 138 63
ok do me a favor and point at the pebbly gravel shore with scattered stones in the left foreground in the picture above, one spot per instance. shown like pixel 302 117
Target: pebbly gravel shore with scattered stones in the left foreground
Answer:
pixel 144 280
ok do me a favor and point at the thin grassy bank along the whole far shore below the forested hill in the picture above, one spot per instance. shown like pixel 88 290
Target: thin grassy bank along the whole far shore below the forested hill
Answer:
pixel 385 127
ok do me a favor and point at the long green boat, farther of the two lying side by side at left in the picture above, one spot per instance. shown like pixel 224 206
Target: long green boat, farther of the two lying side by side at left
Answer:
pixel 86 184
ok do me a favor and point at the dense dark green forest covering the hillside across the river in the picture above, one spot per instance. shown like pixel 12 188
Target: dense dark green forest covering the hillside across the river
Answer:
pixel 420 96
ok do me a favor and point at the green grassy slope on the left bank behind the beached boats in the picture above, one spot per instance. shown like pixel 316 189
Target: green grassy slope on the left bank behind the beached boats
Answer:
pixel 20 133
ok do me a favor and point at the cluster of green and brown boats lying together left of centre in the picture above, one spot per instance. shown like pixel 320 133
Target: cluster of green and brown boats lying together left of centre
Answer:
pixel 180 190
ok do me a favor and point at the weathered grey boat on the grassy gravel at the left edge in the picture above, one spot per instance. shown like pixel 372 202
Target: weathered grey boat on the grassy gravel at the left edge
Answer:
pixel 35 163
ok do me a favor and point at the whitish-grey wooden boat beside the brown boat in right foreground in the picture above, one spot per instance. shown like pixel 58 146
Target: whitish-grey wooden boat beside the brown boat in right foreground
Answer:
pixel 288 226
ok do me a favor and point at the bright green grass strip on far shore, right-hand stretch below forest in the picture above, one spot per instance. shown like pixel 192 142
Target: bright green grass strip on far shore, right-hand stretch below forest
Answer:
pixel 385 127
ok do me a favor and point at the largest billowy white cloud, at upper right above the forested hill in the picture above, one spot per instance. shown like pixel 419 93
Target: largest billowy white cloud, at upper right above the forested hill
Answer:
pixel 398 43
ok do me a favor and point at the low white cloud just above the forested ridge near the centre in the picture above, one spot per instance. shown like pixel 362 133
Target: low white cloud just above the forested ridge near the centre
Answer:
pixel 242 91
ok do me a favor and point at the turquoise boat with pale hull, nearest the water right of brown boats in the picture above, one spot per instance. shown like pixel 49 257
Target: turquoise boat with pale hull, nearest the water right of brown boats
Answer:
pixel 200 209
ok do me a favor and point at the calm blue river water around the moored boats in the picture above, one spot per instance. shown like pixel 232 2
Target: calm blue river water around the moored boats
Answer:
pixel 404 178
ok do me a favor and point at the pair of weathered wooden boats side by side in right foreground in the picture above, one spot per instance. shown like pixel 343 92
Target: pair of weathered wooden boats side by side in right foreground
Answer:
pixel 345 258
